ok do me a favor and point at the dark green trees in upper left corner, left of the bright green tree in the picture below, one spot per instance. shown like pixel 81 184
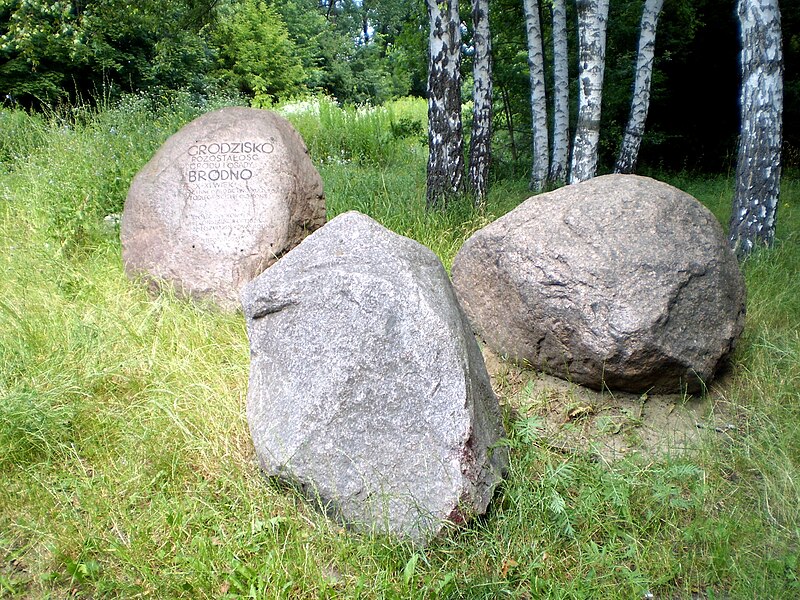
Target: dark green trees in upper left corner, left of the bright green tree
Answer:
pixel 61 50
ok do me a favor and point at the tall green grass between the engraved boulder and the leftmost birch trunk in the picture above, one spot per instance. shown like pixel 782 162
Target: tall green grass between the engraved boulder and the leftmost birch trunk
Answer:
pixel 372 160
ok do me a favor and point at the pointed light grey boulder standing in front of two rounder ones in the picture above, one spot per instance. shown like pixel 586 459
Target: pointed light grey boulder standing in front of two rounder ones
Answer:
pixel 367 388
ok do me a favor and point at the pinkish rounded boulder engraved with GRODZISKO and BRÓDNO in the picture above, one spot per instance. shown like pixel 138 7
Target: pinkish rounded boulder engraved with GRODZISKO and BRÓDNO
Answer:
pixel 219 202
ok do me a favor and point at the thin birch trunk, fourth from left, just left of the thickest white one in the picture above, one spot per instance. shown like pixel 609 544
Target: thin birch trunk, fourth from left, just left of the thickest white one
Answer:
pixel 558 165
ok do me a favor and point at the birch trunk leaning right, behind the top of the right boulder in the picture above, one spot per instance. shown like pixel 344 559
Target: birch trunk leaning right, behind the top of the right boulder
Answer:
pixel 632 140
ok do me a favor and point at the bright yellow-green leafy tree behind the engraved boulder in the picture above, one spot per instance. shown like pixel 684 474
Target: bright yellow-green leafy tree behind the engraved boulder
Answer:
pixel 255 53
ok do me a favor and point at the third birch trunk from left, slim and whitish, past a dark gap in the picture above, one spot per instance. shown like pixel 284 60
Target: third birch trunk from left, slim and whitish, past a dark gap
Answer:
pixel 540 163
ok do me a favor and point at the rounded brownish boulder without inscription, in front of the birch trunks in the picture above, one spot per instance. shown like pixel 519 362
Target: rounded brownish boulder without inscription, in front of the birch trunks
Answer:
pixel 620 281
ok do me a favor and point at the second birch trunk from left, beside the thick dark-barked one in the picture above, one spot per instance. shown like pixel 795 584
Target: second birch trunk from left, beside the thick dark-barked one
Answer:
pixel 480 145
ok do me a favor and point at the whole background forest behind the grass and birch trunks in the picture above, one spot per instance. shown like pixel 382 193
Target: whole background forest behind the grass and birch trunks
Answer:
pixel 53 53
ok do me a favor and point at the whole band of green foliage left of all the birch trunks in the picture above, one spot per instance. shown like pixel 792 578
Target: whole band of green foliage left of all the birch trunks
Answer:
pixel 60 51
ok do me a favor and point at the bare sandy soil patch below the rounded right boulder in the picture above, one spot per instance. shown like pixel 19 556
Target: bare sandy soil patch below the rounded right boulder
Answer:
pixel 607 424
